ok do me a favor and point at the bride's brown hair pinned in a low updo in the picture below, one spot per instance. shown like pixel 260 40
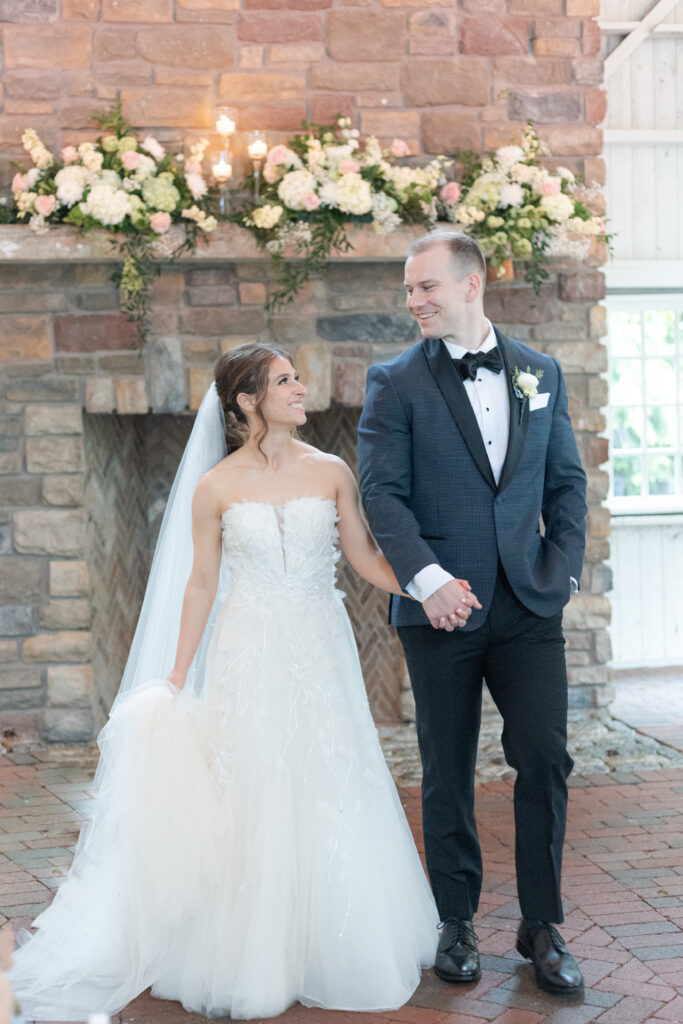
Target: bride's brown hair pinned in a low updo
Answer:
pixel 245 370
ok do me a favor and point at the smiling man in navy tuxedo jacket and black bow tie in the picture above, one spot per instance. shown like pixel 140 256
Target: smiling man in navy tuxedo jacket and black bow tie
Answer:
pixel 460 459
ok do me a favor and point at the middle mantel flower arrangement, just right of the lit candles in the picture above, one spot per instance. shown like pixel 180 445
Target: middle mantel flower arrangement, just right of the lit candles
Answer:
pixel 322 182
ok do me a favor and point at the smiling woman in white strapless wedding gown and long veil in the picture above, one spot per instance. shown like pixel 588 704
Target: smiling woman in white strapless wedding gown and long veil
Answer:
pixel 247 847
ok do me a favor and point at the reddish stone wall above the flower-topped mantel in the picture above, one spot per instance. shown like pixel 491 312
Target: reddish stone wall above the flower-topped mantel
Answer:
pixel 465 74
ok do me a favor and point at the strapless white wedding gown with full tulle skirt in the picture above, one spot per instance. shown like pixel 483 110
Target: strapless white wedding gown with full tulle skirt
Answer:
pixel 248 847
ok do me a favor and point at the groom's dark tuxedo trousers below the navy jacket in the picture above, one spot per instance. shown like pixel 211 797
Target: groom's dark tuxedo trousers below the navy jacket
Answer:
pixel 522 657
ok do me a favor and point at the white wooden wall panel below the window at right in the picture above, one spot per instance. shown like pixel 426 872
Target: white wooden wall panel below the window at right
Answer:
pixel 648 601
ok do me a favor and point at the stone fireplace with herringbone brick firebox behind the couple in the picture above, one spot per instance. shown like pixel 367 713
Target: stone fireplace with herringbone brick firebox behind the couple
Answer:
pixel 94 429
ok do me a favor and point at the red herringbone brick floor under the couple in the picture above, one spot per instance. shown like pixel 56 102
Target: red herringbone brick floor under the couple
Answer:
pixel 623 889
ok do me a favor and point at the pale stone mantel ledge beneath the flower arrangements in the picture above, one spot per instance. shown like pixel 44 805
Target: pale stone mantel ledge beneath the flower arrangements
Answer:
pixel 229 242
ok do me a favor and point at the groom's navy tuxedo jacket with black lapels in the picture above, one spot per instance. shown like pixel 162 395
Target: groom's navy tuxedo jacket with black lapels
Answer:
pixel 431 496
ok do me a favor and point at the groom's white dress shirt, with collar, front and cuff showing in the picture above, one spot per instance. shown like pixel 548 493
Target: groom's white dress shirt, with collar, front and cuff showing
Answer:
pixel 491 405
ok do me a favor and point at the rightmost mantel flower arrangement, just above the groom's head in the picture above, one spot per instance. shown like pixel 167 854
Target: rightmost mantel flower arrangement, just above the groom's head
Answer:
pixel 516 208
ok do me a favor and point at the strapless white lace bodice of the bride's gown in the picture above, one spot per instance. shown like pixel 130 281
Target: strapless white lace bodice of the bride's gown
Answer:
pixel 274 547
